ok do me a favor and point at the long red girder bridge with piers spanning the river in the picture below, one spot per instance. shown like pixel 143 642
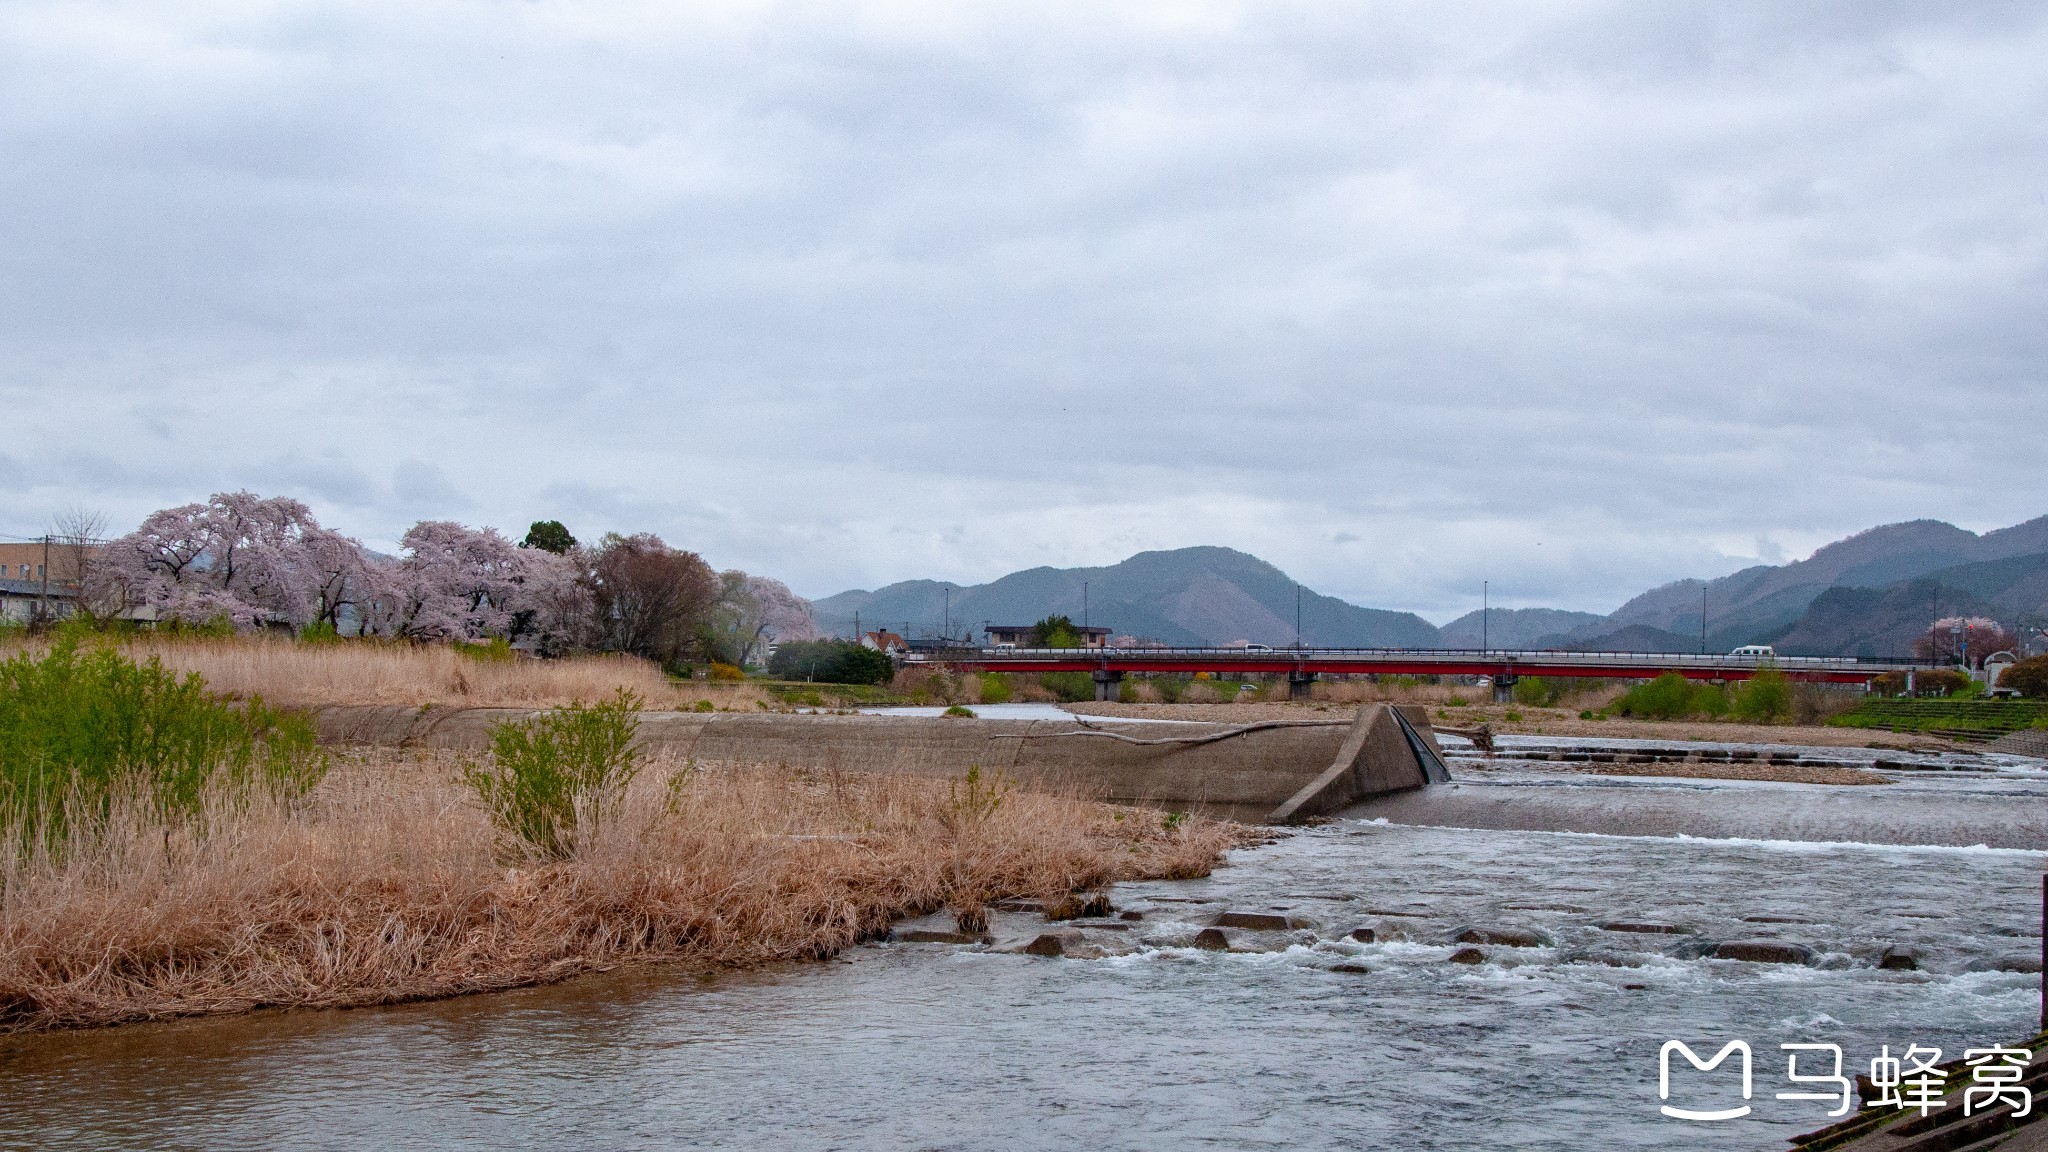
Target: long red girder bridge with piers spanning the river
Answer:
pixel 1306 665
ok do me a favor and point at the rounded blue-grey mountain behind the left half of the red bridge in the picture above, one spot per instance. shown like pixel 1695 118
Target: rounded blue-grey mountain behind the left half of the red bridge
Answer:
pixel 1191 595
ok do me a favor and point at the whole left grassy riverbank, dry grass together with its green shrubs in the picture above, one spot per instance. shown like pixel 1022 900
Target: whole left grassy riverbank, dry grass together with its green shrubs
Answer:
pixel 169 850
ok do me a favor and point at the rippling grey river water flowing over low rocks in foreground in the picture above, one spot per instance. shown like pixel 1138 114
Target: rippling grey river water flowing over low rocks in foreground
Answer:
pixel 1302 1040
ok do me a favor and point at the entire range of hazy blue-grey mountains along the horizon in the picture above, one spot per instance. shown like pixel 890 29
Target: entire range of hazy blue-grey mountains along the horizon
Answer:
pixel 1867 595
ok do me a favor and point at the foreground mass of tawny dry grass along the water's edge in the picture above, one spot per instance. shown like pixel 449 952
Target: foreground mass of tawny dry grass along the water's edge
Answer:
pixel 390 884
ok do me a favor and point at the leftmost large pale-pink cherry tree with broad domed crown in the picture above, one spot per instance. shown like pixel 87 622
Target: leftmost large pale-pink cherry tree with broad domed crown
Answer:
pixel 239 557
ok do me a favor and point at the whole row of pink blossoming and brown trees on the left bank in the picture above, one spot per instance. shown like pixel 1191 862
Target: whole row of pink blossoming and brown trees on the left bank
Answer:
pixel 251 563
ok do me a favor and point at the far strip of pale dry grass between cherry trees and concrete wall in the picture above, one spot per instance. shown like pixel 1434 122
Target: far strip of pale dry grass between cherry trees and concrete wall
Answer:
pixel 308 675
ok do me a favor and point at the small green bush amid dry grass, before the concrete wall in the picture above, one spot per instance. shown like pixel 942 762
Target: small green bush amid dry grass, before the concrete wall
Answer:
pixel 564 764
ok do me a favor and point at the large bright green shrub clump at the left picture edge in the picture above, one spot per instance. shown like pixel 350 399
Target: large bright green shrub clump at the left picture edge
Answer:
pixel 83 729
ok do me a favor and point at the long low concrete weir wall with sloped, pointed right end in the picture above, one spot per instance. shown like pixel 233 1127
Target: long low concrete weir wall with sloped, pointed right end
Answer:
pixel 1277 772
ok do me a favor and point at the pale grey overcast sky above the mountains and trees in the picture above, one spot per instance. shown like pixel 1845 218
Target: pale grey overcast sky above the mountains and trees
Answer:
pixel 1396 296
